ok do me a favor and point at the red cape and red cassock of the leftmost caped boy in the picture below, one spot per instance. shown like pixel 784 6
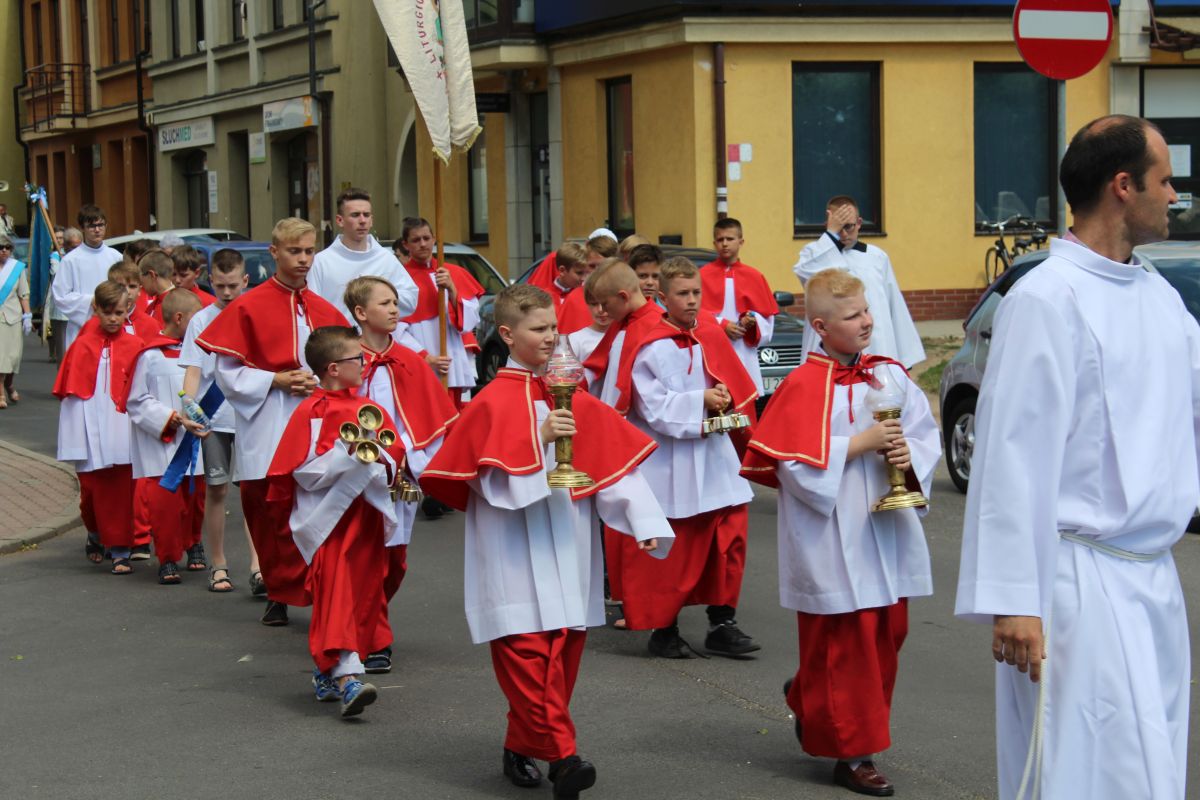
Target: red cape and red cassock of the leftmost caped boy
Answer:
pixel 111 490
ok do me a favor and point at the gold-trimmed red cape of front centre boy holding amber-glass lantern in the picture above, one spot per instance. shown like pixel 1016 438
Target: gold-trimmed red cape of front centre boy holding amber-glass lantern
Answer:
pixel 499 429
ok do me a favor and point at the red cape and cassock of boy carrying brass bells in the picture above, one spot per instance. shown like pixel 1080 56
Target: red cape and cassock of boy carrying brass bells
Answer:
pixel 346 579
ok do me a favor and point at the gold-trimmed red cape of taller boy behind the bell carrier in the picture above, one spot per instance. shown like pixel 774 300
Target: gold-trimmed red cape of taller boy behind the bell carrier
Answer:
pixel 260 329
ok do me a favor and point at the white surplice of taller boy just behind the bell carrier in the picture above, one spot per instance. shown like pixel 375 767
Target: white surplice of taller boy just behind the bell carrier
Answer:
pixel 261 413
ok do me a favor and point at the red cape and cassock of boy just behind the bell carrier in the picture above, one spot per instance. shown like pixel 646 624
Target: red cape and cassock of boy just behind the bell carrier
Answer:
pixel 260 330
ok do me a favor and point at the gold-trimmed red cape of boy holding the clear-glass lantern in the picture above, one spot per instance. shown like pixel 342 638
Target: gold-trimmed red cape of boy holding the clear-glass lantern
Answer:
pixel 795 425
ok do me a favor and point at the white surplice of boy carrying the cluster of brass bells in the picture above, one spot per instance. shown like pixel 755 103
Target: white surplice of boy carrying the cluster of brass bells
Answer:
pixel 328 484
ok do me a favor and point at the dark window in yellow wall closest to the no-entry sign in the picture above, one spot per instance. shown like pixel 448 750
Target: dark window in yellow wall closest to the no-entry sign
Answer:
pixel 1016 145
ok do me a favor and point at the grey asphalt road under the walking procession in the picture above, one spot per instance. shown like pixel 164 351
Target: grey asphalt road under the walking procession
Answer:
pixel 115 688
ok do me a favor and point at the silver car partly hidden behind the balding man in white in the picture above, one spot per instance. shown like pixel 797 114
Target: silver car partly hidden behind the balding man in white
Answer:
pixel 1177 262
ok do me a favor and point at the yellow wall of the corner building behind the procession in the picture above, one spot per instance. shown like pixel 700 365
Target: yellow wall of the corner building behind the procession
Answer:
pixel 927 134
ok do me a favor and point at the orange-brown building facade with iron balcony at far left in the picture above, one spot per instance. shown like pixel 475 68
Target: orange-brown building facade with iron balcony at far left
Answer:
pixel 82 107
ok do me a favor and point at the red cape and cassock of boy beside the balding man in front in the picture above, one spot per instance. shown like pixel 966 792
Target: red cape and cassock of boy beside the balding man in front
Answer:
pixel 842 693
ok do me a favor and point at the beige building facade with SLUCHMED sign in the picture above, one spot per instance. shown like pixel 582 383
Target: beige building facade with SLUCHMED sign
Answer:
pixel 251 129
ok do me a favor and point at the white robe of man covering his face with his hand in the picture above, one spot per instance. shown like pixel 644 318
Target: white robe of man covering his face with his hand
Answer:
pixel 896 335
